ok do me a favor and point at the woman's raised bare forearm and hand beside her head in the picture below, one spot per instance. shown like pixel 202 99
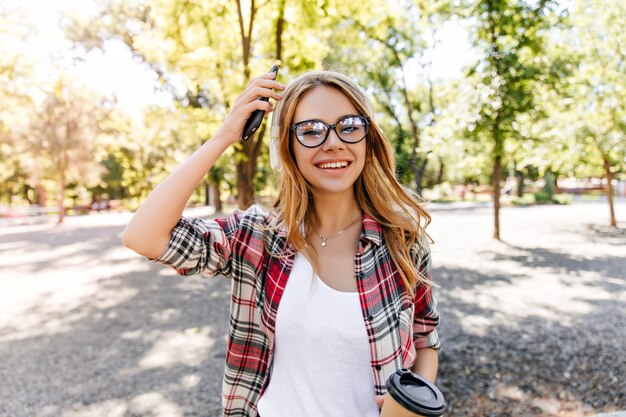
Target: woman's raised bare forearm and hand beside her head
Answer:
pixel 148 232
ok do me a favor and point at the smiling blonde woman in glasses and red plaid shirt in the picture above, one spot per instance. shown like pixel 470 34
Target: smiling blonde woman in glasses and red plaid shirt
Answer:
pixel 330 292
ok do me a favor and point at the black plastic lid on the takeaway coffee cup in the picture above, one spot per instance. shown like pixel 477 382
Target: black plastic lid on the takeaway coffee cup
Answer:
pixel 416 394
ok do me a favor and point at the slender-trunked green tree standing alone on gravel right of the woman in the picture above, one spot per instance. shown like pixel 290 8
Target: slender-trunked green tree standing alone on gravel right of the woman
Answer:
pixel 512 34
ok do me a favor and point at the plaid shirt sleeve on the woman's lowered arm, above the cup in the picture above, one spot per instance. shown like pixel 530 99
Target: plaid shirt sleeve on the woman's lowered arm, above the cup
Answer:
pixel 426 317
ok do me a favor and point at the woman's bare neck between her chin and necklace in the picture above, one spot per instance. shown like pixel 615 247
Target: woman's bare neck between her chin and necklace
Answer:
pixel 335 212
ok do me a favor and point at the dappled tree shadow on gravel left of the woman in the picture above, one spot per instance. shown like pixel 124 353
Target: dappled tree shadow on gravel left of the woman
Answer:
pixel 144 342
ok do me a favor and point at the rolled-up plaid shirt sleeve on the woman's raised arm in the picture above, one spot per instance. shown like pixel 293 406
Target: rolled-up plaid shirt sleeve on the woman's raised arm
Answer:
pixel 205 246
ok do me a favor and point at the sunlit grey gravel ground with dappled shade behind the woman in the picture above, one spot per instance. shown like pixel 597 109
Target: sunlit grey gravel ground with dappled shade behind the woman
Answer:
pixel 532 326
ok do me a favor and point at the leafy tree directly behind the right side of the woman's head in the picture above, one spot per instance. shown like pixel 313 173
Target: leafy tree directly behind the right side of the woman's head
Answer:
pixel 391 40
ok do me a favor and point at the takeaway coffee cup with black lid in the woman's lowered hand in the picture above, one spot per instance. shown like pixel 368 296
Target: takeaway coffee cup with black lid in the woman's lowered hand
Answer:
pixel 410 395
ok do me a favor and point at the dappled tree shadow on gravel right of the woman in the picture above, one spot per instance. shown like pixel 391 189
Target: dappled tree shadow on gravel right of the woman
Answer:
pixel 530 365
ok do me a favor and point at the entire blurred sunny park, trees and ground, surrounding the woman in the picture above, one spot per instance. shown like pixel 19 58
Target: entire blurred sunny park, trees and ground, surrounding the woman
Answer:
pixel 507 116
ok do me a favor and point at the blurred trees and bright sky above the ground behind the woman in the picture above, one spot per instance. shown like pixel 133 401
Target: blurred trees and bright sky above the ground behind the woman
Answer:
pixel 519 102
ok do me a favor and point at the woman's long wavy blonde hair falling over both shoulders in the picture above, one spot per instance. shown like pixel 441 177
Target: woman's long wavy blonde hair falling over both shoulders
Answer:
pixel 377 191
